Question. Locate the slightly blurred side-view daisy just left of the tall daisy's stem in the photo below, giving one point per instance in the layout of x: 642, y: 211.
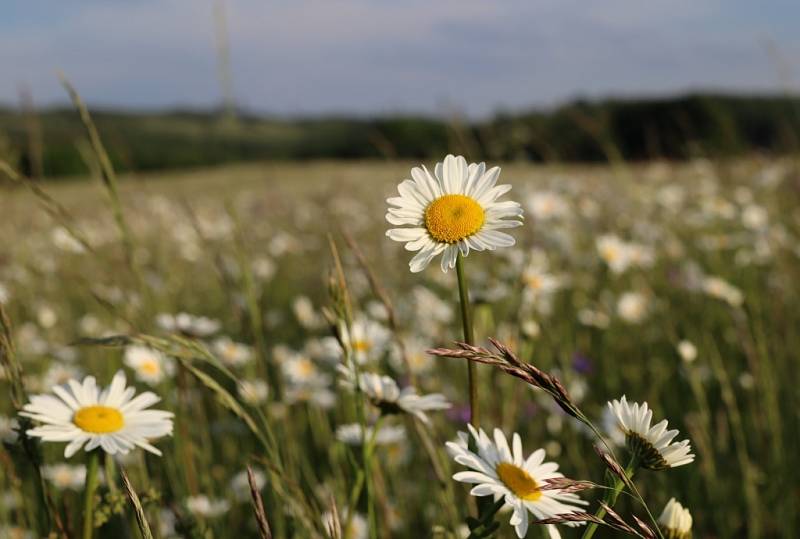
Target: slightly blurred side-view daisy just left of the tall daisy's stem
x: 384, y: 393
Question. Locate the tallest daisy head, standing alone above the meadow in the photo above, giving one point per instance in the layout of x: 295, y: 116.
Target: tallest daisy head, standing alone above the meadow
x: 453, y: 210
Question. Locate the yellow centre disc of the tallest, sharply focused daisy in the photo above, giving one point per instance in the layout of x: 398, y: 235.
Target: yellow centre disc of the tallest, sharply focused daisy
x: 451, y: 218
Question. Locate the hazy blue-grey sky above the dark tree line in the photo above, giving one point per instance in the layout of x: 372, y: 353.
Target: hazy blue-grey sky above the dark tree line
x: 368, y: 56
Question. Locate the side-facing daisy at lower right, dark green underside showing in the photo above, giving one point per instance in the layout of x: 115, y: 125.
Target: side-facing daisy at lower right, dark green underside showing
x: 653, y: 446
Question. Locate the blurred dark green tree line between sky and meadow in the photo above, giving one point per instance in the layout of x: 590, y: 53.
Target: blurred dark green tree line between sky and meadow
x: 675, y: 128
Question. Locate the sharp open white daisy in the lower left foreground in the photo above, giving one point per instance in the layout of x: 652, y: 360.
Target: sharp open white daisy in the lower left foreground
x: 113, y: 419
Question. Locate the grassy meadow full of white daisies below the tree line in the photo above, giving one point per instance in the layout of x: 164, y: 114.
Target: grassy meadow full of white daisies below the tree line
x: 162, y: 336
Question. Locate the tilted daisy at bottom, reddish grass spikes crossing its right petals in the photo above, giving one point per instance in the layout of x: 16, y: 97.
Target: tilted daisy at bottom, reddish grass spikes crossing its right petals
x: 503, y: 472
